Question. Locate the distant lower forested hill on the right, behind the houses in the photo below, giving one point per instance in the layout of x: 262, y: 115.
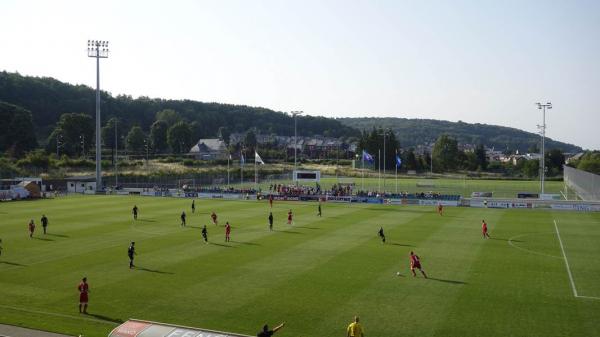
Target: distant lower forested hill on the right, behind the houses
x: 412, y: 132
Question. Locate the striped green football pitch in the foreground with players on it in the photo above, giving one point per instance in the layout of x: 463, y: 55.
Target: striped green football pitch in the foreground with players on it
x: 315, y: 275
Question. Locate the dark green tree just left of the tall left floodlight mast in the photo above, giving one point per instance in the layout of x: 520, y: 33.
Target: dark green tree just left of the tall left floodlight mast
x: 74, y: 133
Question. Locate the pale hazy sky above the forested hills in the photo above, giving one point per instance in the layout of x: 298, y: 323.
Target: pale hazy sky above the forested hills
x: 475, y: 61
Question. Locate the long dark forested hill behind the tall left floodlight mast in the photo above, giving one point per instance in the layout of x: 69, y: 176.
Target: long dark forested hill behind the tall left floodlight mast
x: 48, y: 98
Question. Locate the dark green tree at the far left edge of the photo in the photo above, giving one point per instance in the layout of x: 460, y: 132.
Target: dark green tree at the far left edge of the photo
x: 17, y: 134
